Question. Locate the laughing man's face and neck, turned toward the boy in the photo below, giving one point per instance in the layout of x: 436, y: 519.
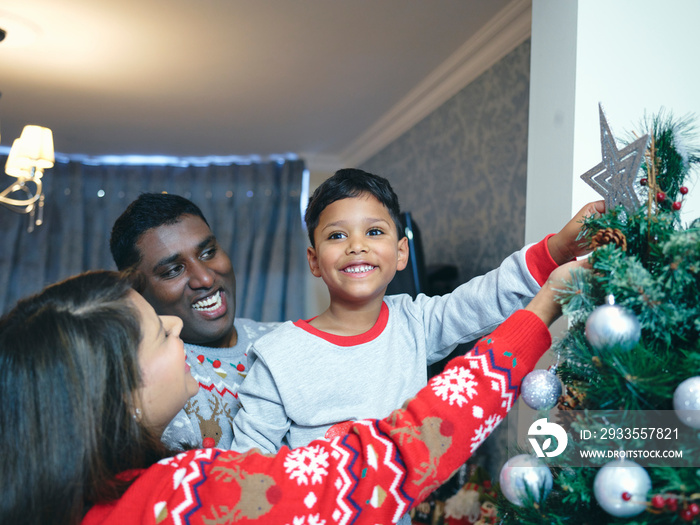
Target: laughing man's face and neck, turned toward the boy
x: 187, y: 274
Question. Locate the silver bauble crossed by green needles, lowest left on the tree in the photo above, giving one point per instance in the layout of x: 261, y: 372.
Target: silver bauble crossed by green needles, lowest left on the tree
x: 523, y: 477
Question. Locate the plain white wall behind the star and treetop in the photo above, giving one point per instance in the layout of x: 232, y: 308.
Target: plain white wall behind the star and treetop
x: 632, y: 56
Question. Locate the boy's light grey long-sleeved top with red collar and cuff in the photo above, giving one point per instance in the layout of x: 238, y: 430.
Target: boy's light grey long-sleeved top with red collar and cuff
x: 304, y: 384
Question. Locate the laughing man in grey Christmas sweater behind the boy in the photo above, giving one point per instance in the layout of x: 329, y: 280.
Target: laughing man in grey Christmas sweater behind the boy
x: 180, y: 269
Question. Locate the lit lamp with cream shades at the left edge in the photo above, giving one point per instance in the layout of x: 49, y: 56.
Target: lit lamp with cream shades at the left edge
x: 29, y: 156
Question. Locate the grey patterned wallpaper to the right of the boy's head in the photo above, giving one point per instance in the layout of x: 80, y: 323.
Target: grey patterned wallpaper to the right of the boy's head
x: 461, y: 171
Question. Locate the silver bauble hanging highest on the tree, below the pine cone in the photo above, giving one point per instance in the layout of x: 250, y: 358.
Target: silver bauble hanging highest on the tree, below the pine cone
x: 611, y: 325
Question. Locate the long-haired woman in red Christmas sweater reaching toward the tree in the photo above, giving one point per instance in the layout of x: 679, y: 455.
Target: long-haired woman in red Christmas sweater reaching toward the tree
x: 90, y: 376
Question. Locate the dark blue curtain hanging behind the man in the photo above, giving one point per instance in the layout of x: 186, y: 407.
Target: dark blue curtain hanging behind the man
x: 252, y: 208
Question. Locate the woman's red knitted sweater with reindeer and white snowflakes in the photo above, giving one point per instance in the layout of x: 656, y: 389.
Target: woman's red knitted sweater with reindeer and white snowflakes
x: 374, y: 474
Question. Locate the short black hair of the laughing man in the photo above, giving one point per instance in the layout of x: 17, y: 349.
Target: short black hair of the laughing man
x: 149, y: 210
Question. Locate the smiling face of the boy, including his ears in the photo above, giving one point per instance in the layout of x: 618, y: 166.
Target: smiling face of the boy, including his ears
x: 357, y: 251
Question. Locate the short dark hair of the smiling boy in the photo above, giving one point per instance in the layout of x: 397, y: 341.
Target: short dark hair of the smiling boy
x: 346, y: 183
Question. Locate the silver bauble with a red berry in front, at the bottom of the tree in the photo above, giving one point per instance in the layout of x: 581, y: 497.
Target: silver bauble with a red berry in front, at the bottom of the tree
x: 621, y: 488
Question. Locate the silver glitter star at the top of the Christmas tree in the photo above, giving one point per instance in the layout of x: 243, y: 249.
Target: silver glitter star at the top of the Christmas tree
x: 614, y: 177
